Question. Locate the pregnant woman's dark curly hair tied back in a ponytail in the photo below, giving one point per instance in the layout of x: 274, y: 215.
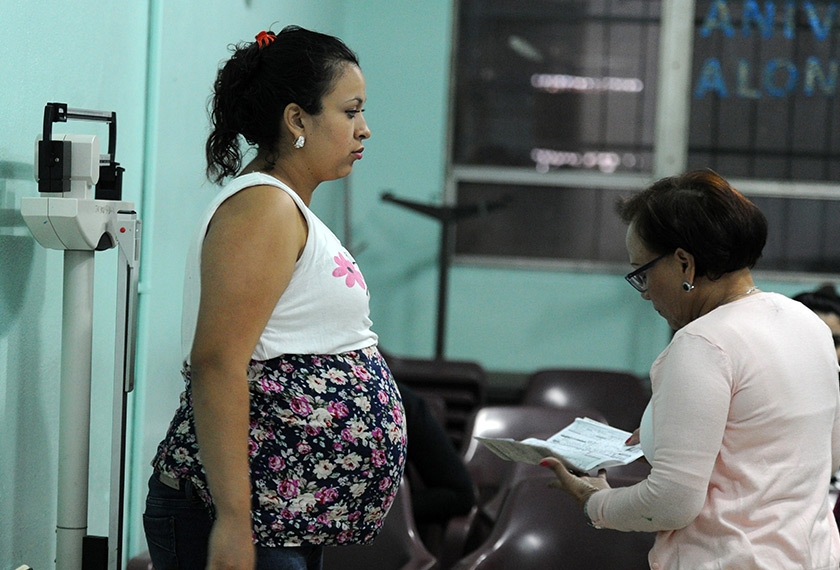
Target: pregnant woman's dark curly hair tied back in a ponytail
x: 253, y: 88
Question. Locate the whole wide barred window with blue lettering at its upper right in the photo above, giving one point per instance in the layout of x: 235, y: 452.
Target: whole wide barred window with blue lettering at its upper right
x: 553, y: 112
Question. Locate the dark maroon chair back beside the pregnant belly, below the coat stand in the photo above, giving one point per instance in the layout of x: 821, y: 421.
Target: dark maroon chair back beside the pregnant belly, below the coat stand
x: 461, y: 384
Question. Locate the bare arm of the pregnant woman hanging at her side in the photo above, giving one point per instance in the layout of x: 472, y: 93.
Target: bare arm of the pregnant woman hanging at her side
x: 247, y: 261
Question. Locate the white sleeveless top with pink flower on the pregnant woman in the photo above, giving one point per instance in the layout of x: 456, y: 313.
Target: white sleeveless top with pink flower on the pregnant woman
x: 324, y: 309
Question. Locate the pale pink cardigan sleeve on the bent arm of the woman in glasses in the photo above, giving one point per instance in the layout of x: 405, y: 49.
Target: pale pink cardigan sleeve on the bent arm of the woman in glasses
x: 692, y: 386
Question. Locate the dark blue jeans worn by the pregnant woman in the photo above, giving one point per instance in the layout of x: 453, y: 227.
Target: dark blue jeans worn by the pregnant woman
x: 177, y: 526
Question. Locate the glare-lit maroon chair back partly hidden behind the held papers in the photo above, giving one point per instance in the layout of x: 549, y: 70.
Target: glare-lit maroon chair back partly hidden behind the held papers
x: 488, y: 471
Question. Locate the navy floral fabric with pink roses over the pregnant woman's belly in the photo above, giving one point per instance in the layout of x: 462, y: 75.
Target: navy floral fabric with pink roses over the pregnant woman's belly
x: 327, y: 447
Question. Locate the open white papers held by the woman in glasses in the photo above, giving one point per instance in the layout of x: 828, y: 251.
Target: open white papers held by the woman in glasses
x: 585, y: 446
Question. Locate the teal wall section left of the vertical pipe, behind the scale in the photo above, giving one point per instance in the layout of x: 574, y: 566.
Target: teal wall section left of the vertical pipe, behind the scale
x: 92, y: 56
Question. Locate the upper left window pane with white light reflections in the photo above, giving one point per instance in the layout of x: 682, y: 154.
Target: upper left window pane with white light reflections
x: 556, y: 84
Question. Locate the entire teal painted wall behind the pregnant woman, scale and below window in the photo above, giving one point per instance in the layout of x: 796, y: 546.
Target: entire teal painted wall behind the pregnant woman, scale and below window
x: 152, y: 62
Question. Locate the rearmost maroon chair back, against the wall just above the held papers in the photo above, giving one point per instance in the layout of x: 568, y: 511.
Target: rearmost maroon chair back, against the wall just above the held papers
x: 620, y: 396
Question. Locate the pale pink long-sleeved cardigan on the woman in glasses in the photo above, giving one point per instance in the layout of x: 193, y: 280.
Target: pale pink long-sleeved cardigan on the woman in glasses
x: 743, y: 439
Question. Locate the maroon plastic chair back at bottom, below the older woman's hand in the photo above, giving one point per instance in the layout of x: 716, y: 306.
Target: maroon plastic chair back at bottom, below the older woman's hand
x: 542, y: 527
